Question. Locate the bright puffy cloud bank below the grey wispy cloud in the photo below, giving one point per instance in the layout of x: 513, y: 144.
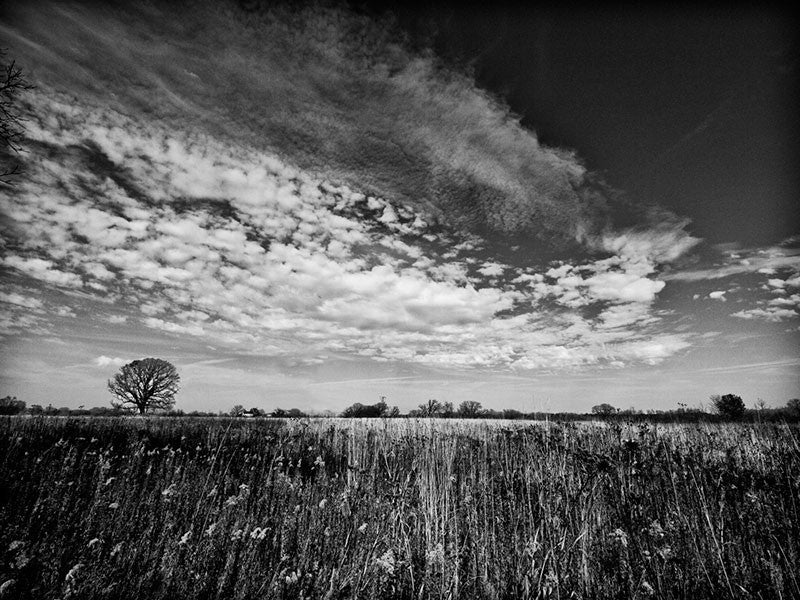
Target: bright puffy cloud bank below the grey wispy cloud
x: 192, y: 236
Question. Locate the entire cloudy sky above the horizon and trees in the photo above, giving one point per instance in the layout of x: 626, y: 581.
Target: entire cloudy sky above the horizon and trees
x: 317, y: 205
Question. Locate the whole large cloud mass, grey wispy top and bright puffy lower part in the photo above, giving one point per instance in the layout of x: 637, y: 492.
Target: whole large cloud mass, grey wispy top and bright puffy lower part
x: 329, y: 207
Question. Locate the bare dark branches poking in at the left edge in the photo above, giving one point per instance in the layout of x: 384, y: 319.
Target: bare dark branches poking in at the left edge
x: 11, y: 131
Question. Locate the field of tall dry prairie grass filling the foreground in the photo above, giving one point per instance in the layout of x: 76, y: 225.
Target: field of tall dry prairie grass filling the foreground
x: 179, y: 508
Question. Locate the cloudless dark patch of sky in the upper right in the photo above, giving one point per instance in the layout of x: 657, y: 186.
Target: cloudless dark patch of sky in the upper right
x: 691, y: 109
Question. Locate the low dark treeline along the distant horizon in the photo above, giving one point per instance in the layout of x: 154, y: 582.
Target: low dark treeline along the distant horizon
x: 431, y: 409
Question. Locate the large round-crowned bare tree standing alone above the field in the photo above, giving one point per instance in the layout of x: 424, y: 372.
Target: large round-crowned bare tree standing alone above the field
x: 145, y: 385
